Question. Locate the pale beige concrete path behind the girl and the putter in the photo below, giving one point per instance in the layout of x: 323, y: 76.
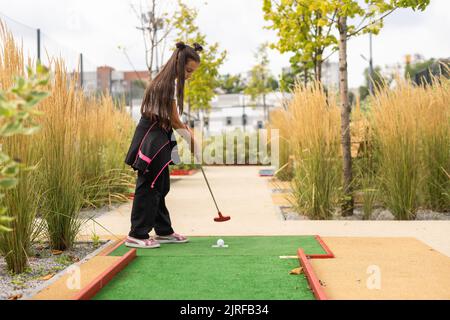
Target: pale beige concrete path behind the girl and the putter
x: 246, y: 197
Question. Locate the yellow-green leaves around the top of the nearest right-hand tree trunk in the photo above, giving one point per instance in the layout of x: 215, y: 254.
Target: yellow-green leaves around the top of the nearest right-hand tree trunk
x: 305, y: 27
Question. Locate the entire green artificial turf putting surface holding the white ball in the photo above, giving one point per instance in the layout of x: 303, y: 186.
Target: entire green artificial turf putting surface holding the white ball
x: 249, y: 268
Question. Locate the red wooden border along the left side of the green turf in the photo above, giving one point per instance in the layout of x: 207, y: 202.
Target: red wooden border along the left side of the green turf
x: 94, y: 287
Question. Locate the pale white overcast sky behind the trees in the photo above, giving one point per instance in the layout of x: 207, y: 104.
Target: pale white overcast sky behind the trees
x: 98, y: 27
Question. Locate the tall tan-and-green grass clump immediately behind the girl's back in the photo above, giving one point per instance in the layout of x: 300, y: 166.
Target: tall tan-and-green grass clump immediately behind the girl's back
x: 105, y: 134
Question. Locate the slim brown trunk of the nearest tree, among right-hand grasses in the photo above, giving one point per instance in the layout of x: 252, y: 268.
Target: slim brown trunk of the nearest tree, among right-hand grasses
x: 347, y: 204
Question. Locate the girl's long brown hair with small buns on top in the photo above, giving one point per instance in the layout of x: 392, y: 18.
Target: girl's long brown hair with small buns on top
x: 157, y: 102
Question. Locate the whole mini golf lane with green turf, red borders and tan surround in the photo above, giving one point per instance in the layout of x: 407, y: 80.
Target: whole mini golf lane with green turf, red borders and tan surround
x: 258, y: 268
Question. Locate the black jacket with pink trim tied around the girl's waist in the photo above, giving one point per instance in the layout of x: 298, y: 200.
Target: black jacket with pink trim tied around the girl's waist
x: 151, y: 147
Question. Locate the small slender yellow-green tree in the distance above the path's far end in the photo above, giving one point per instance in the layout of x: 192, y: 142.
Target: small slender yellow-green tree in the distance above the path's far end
x: 261, y: 81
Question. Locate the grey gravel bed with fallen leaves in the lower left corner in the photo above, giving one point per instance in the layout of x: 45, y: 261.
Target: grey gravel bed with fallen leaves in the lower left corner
x: 42, y: 265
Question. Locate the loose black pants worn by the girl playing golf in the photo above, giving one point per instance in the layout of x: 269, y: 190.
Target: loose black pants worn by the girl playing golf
x: 149, y: 208
